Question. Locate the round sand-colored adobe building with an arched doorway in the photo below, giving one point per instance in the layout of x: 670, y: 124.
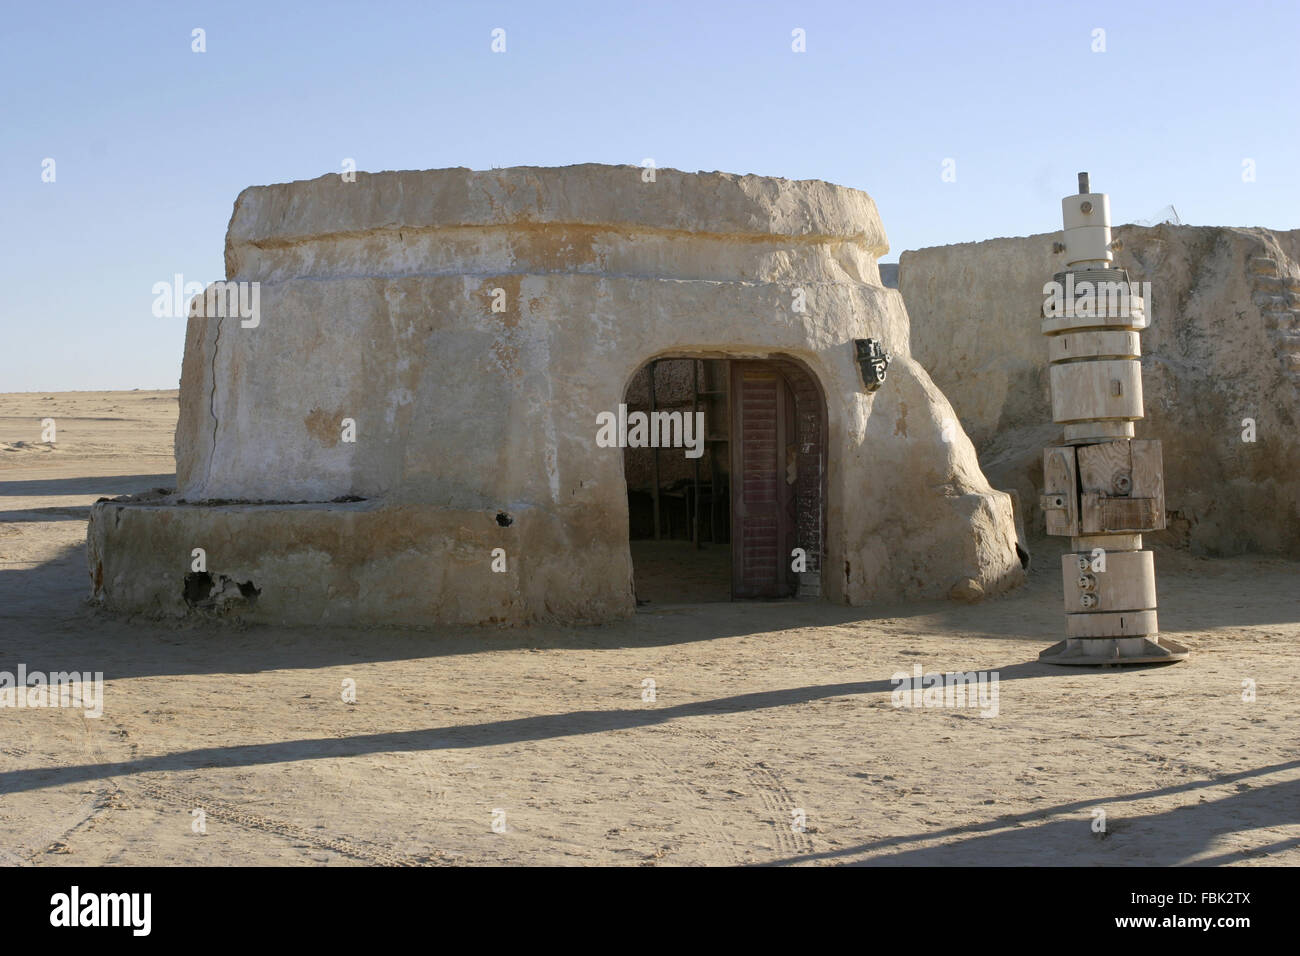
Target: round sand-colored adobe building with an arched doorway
x: 414, y: 429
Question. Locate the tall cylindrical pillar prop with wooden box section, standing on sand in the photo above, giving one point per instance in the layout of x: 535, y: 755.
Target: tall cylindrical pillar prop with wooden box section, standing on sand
x: 1103, y: 488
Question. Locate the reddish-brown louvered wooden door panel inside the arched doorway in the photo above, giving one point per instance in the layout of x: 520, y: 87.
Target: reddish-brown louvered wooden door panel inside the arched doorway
x: 762, y: 413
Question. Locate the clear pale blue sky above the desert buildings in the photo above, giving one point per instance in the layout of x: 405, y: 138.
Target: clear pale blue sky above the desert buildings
x: 1189, y: 105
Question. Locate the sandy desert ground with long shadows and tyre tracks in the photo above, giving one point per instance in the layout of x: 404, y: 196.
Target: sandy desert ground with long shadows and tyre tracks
x: 760, y: 711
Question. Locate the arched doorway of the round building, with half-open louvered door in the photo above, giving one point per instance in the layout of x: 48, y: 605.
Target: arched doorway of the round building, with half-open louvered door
x: 736, y: 511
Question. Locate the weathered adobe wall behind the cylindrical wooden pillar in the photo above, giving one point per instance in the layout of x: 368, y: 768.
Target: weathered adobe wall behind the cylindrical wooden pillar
x: 1223, y: 345
